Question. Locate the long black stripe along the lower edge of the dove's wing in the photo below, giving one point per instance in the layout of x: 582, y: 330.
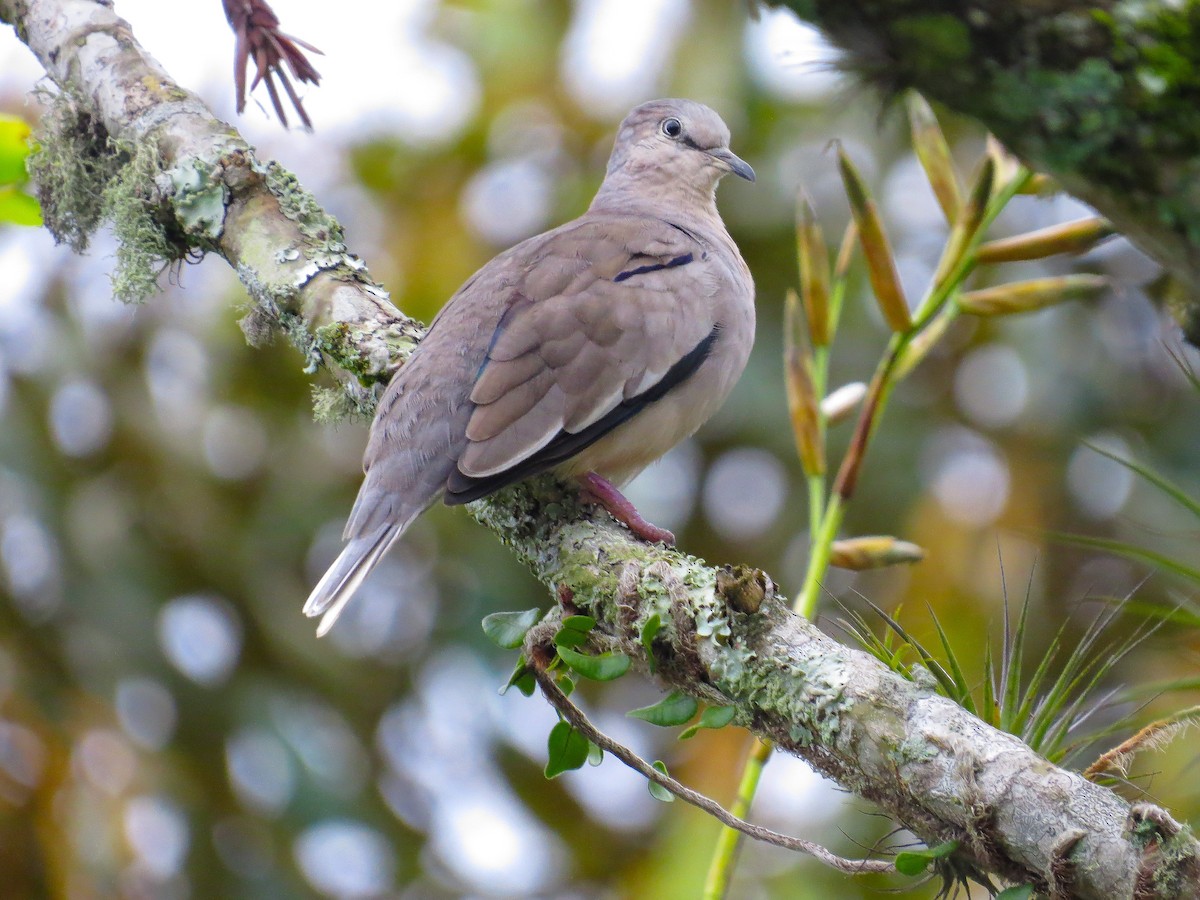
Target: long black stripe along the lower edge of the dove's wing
x: 464, y: 489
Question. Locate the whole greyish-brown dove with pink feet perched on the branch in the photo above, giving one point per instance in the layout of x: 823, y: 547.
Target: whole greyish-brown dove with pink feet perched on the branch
x: 590, y: 351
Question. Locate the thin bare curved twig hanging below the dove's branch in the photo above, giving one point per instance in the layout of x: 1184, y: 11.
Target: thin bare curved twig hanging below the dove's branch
x: 579, y: 722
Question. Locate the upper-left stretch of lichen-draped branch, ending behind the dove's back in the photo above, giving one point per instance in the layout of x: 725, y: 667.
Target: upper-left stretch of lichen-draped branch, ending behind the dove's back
x: 124, y: 140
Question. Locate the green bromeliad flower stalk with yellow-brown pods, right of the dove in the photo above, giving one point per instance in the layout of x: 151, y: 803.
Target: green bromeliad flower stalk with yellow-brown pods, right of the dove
x: 811, y: 327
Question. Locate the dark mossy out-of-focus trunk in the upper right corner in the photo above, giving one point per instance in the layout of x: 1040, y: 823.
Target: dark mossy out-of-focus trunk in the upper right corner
x: 1106, y: 97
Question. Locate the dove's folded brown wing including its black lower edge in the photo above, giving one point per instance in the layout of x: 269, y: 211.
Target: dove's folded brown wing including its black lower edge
x: 611, y: 316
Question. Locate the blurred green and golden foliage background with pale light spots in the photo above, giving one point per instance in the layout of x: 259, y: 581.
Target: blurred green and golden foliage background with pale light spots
x: 170, y: 727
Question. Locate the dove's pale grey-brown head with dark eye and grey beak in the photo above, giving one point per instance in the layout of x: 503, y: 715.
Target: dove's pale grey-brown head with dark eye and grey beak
x: 676, y: 143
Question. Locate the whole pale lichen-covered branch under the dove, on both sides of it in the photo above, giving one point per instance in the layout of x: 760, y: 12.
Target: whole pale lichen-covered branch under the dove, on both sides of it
x: 725, y: 637
